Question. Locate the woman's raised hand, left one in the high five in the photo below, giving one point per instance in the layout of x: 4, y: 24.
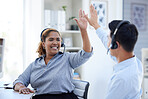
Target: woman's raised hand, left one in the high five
x: 82, y: 22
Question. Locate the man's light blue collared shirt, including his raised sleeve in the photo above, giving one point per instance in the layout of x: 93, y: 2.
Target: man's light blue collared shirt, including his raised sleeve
x: 126, y: 80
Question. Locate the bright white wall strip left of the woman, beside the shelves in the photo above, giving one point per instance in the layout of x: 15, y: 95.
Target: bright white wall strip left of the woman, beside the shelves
x: 33, y: 22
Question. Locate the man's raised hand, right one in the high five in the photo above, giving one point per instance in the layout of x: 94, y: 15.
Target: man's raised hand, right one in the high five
x: 93, y: 20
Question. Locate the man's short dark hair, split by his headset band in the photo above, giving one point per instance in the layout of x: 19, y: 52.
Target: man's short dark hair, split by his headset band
x: 126, y: 35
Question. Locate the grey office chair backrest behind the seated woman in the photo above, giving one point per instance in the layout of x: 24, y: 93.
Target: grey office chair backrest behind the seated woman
x: 81, y: 88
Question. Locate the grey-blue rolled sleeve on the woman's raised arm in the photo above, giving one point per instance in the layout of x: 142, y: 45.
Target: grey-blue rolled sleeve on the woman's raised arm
x: 77, y: 59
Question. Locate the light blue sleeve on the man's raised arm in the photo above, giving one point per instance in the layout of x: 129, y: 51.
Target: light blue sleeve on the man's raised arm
x: 103, y: 37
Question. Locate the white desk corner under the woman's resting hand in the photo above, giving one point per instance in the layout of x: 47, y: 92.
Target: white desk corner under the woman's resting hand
x: 11, y: 94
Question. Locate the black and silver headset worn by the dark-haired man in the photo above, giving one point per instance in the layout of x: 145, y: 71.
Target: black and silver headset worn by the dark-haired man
x: 113, y: 44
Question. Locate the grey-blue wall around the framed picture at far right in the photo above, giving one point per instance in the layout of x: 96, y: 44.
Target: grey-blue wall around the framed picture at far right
x: 143, y: 34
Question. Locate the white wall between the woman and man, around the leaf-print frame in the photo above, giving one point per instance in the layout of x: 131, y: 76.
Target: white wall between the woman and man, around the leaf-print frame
x: 99, y: 68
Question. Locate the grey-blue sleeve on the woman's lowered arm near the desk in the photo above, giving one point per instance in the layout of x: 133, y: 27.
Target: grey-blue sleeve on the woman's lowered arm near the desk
x: 24, y: 78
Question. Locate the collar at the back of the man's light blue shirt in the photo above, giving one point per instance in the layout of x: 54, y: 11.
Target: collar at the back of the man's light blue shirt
x: 124, y: 64
